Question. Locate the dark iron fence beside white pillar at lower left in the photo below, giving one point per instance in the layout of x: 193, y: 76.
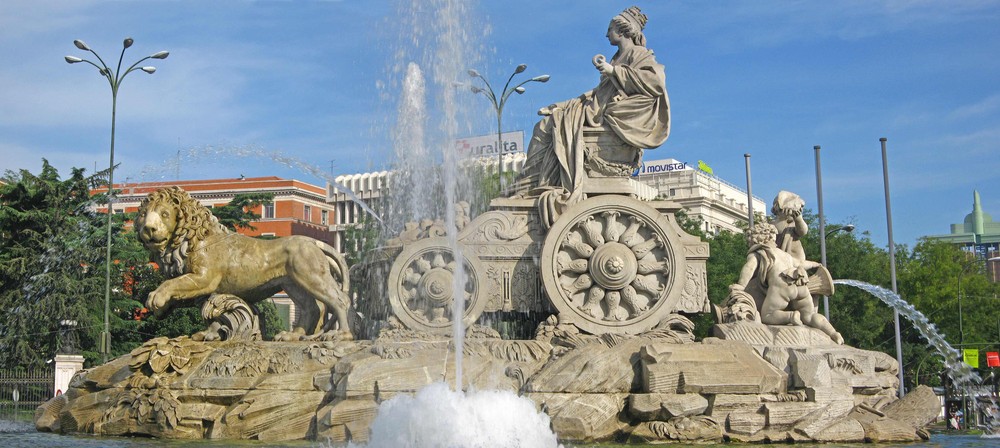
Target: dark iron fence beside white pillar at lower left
x: 21, y: 391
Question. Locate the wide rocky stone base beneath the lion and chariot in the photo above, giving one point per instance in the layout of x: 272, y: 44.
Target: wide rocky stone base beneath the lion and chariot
x: 650, y: 388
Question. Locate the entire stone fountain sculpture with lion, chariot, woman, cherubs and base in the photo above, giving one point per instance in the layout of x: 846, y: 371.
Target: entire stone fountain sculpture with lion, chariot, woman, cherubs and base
x: 615, y: 360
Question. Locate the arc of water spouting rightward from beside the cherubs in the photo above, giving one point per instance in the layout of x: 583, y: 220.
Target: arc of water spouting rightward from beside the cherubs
x: 960, y: 373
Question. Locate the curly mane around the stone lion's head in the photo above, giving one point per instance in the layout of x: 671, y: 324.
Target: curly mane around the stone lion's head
x: 194, y: 223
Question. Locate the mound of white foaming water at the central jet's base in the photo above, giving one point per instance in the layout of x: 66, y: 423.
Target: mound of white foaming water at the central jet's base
x: 439, y: 417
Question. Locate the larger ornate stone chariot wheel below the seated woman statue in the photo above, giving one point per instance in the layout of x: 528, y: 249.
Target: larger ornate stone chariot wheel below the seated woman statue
x: 612, y: 264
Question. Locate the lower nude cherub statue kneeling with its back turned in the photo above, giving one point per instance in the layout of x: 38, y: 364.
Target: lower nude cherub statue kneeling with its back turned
x: 785, y: 281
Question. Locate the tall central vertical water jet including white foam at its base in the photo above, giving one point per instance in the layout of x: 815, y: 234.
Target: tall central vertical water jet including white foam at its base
x: 437, y: 415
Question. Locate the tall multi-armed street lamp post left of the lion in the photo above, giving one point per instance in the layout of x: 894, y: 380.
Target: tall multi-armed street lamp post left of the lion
x: 114, y: 80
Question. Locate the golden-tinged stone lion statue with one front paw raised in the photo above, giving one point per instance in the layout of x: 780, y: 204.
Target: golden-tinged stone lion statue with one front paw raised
x: 203, y: 258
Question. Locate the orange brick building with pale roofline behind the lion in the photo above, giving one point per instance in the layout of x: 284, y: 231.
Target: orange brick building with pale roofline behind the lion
x: 299, y: 208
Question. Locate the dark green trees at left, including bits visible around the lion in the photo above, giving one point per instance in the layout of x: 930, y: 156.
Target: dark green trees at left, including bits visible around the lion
x: 53, y: 244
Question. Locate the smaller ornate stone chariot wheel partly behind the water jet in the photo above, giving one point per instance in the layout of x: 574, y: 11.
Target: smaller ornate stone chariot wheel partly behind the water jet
x: 423, y: 288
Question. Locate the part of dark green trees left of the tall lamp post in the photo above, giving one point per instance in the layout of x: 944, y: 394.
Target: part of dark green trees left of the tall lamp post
x: 50, y: 254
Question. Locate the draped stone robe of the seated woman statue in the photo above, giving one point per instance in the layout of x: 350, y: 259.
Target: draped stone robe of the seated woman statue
x: 631, y: 102
